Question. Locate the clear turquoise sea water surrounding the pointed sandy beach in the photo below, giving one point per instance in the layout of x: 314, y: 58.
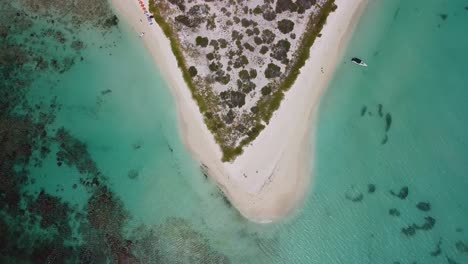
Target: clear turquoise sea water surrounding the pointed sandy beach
x: 154, y: 204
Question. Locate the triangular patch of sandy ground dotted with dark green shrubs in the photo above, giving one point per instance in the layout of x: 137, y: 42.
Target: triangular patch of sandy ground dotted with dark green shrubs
x: 239, y: 78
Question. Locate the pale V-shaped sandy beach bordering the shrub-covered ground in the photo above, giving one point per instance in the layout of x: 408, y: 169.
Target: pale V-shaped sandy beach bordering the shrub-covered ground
x: 270, y: 180
